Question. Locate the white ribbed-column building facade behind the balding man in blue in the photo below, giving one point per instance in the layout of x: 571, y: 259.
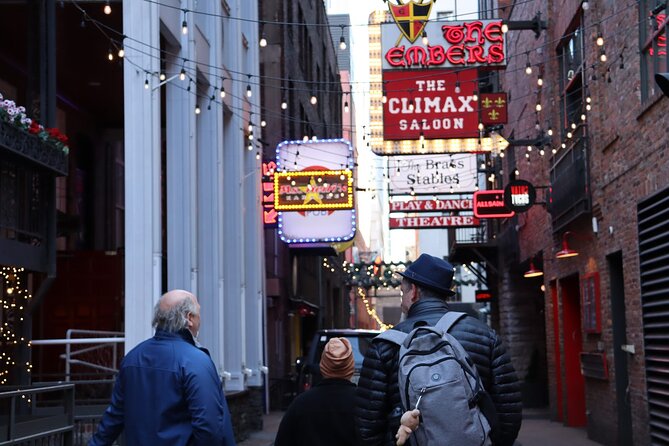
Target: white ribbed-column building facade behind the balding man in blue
x: 193, y: 217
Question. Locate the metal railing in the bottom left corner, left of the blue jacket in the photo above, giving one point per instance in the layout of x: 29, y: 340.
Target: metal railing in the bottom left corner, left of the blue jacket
x: 29, y: 416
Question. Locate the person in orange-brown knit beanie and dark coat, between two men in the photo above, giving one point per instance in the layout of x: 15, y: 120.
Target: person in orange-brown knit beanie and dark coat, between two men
x: 323, y: 415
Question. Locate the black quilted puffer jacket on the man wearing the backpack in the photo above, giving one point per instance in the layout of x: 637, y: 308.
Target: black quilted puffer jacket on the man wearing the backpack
x: 378, y: 403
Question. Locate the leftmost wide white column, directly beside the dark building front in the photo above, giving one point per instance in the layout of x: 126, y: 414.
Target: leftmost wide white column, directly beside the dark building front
x: 143, y: 249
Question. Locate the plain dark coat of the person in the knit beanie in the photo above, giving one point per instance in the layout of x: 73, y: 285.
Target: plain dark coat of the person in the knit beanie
x: 321, y: 416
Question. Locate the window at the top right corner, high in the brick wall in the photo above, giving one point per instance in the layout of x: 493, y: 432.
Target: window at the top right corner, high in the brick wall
x: 653, y: 43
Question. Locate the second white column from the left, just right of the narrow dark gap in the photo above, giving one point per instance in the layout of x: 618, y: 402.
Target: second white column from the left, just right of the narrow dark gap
x: 181, y: 169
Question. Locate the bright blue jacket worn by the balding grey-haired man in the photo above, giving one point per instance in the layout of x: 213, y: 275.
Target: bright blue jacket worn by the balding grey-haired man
x: 167, y: 393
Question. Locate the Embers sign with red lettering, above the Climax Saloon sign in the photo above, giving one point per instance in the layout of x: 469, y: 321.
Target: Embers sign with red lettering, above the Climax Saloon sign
x: 478, y: 43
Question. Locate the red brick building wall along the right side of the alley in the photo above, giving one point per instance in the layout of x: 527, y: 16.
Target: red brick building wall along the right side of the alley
x: 626, y: 147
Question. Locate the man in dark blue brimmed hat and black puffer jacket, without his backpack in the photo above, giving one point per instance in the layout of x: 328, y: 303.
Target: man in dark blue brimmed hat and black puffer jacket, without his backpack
x: 426, y: 284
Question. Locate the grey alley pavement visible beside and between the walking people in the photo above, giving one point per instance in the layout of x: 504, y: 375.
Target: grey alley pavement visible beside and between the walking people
x: 537, y: 430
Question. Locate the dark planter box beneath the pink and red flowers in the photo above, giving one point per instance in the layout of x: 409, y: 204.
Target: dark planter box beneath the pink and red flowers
x: 29, y: 148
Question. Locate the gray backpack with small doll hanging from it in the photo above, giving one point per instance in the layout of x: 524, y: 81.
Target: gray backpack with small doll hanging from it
x: 437, y: 376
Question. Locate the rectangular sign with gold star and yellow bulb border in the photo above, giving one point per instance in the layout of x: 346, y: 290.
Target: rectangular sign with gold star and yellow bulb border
x: 309, y: 190
